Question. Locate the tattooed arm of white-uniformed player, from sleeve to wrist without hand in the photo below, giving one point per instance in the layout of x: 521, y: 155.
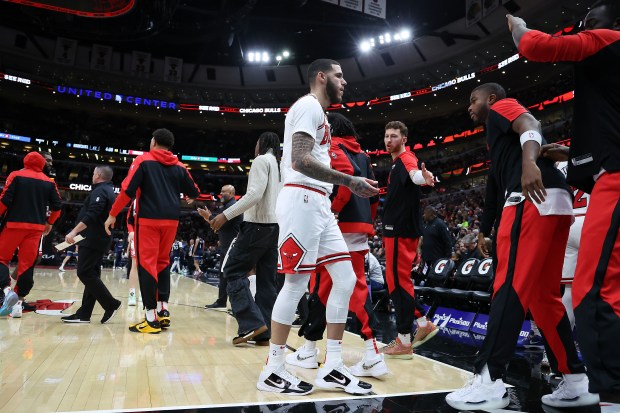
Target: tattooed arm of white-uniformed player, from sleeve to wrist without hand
x: 303, y: 161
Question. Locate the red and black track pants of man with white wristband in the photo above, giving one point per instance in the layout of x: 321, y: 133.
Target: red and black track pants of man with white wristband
x: 530, y: 254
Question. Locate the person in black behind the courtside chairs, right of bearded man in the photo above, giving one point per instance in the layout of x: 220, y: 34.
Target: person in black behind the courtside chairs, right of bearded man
x: 437, y: 242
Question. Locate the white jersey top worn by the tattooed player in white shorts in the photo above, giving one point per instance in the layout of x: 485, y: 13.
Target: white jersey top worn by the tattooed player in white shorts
x: 306, y: 115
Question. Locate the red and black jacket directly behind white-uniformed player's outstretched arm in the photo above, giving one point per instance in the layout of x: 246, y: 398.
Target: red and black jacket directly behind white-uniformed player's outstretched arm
x: 355, y: 214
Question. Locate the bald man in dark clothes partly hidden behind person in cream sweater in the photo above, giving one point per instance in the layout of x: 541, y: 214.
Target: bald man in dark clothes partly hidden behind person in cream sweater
x: 226, y: 234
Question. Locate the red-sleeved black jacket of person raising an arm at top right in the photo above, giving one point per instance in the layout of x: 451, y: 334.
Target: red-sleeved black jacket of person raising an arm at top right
x: 596, y: 122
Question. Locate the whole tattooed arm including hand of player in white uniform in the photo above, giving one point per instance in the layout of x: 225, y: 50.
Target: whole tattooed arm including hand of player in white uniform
x: 303, y: 161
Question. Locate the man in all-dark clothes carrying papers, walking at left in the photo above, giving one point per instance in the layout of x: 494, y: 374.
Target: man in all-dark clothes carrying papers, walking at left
x: 96, y: 242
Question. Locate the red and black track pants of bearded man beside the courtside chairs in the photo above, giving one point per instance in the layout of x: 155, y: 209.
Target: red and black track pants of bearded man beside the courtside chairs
x: 400, y: 253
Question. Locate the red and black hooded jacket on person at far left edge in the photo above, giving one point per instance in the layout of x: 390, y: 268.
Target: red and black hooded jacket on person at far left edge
x: 26, y: 195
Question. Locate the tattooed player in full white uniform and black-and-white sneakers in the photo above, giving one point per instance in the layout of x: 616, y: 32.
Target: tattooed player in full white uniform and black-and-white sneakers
x: 309, y: 235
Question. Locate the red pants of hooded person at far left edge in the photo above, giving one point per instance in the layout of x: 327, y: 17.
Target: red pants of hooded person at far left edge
x: 27, y: 240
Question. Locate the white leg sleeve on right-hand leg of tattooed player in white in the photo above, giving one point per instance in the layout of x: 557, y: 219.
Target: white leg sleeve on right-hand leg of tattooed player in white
x: 343, y: 279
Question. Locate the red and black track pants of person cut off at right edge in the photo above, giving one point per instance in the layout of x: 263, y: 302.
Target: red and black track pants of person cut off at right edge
x: 596, y: 287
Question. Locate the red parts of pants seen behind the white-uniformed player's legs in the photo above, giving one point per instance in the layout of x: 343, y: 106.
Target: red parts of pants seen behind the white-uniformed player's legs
x: 360, y: 292
